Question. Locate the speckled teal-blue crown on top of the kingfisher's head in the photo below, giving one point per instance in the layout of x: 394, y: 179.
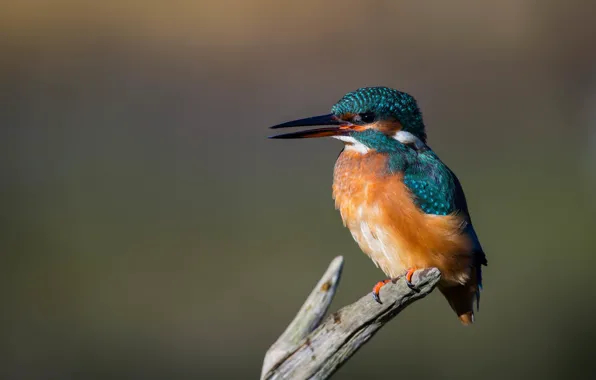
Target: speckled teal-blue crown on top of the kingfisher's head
x: 384, y: 101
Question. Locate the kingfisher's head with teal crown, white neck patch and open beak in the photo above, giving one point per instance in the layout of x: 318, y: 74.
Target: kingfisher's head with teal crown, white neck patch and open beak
x: 365, y: 119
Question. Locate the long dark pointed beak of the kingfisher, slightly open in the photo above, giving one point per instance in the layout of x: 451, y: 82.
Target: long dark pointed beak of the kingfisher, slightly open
x: 336, y: 127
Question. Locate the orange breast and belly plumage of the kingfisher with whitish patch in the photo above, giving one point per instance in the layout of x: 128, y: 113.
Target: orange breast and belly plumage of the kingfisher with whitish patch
x: 387, y: 225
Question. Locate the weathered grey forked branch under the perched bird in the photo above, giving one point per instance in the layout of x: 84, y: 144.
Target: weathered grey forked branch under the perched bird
x: 311, y: 349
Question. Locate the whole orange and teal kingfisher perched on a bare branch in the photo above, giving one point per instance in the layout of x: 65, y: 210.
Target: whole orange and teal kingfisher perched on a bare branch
x: 404, y: 207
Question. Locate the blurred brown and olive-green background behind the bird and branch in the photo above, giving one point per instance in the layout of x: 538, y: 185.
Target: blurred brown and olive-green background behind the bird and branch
x: 150, y: 230
